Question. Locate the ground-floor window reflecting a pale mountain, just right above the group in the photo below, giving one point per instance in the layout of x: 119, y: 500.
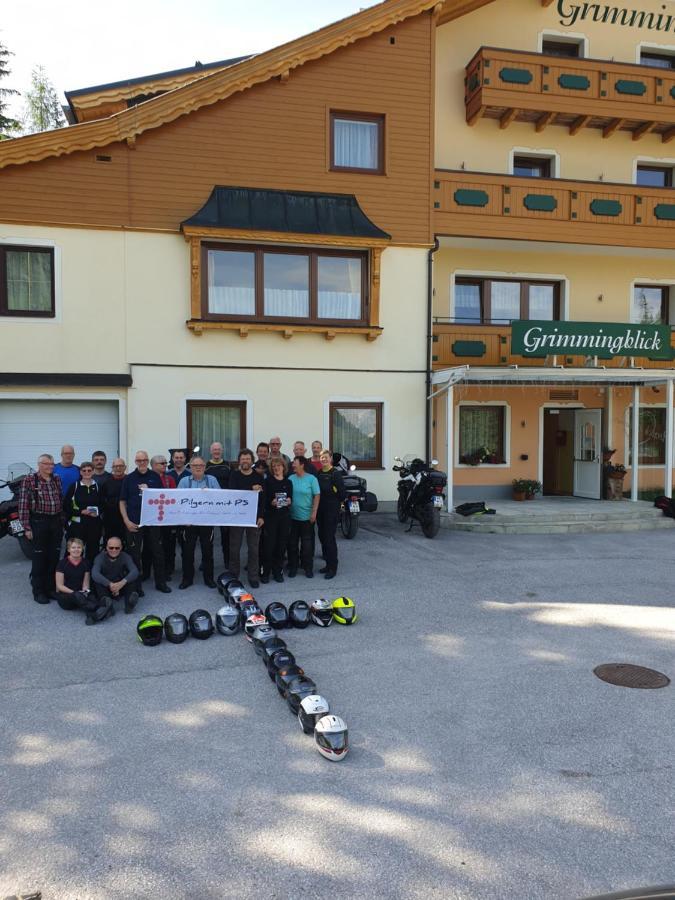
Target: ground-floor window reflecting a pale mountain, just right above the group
x: 356, y: 432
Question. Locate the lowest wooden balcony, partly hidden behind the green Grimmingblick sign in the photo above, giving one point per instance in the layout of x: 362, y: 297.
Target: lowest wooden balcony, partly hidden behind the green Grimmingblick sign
x: 490, y: 345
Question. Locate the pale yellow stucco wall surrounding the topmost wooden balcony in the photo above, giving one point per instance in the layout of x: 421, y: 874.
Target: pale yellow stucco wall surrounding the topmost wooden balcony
x: 519, y: 25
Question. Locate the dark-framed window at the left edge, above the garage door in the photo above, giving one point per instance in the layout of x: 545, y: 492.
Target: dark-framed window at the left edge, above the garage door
x: 26, y: 281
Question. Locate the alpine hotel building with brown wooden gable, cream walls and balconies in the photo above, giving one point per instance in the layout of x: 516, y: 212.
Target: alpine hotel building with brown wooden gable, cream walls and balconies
x: 442, y: 227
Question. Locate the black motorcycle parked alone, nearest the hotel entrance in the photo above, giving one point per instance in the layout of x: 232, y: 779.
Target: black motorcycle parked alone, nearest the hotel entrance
x: 420, y: 494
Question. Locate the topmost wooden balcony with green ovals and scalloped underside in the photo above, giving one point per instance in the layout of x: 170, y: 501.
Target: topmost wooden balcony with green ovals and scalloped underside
x: 515, y: 86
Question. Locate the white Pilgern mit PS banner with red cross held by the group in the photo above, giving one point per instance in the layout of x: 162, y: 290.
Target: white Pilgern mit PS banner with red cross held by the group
x: 199, y: 507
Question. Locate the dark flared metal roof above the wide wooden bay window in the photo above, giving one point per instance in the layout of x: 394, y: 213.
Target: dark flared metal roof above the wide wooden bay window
x: 297, y: 212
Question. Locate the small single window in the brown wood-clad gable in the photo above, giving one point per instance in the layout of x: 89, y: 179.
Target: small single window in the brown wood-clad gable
x: 357, y: 143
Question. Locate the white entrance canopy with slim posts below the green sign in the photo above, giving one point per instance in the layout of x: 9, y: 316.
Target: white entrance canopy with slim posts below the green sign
x: 443, y: 382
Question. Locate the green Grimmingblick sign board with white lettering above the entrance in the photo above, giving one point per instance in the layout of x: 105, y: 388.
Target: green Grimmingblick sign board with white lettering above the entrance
x: 604, y: 339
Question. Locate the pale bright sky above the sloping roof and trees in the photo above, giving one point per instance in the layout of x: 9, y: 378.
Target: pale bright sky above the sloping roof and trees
x: 83, y: 43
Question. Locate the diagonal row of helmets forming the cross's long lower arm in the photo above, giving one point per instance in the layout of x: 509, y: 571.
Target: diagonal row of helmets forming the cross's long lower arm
x: 330, y: 732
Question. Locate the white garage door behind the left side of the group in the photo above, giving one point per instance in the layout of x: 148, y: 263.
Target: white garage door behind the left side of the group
x: 31, y: 427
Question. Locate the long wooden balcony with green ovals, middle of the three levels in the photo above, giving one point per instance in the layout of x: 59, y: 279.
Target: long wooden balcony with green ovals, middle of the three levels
x: 474, y: 204
